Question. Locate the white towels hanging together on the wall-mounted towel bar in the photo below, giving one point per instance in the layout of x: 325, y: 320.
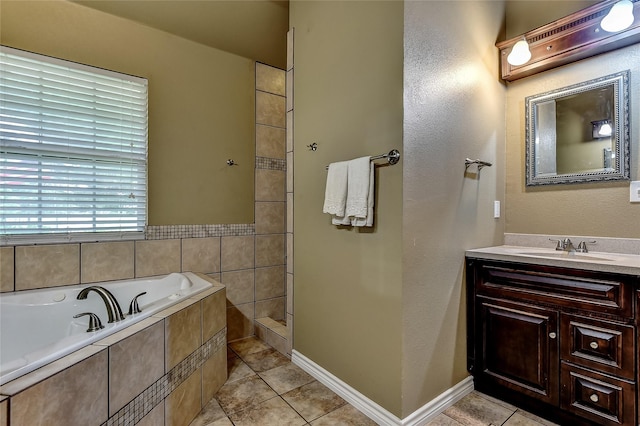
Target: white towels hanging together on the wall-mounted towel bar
x: 359, y: 191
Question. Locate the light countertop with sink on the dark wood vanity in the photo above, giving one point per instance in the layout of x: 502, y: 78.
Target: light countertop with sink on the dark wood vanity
x: 594, y: 261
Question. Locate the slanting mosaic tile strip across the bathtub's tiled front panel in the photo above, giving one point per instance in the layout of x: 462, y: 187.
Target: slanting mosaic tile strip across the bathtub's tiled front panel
x: 149, y: 398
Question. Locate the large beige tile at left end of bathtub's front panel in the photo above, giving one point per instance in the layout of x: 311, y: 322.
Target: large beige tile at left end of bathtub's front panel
x: 63, y: 399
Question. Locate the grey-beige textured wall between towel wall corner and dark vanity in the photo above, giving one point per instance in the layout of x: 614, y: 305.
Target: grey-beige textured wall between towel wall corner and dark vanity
x: 454, y: 108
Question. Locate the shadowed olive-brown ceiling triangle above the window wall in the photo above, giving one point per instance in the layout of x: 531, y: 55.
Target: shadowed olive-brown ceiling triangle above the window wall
x: 253, y: 29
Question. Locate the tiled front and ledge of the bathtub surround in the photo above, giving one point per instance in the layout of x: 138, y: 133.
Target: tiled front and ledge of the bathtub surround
x: 125, y: 377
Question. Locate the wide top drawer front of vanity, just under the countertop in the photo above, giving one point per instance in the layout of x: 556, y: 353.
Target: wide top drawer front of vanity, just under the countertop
x: 599, y: 292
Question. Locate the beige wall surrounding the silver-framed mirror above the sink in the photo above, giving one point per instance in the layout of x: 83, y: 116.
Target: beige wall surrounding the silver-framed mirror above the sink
x: 597, y: 209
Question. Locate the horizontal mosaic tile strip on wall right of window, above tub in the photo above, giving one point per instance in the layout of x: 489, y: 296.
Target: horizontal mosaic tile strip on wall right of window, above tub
x: 163, y: 232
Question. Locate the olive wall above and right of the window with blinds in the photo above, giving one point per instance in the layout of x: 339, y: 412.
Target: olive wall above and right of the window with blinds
x: 201, y: 104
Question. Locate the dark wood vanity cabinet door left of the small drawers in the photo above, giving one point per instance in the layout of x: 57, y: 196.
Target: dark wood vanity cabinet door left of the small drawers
x: 519, y: 348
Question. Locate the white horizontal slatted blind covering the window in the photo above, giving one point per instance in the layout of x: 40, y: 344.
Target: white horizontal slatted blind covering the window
x: 73, y: 151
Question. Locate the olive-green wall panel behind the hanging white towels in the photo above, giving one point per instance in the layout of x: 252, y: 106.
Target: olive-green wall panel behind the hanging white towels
x: 348, y: 63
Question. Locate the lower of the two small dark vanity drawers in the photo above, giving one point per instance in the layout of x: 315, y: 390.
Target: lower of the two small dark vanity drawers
x: 597, y: 397
